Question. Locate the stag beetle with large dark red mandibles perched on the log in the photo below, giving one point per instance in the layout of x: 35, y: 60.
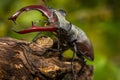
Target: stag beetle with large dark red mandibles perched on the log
x: 75, y: 37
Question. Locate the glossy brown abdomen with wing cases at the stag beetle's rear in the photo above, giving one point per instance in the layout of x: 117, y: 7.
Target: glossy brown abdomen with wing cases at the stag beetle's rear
x: 84, y: 46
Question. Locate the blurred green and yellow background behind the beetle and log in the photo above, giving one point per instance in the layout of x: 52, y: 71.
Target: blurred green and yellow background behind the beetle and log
x: 100, y: 19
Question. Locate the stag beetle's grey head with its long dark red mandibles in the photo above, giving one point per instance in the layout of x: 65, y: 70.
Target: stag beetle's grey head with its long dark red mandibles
x: 56, y: 19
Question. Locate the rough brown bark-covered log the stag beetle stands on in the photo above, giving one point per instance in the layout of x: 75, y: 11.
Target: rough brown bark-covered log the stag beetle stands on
x: 21, y: 60
